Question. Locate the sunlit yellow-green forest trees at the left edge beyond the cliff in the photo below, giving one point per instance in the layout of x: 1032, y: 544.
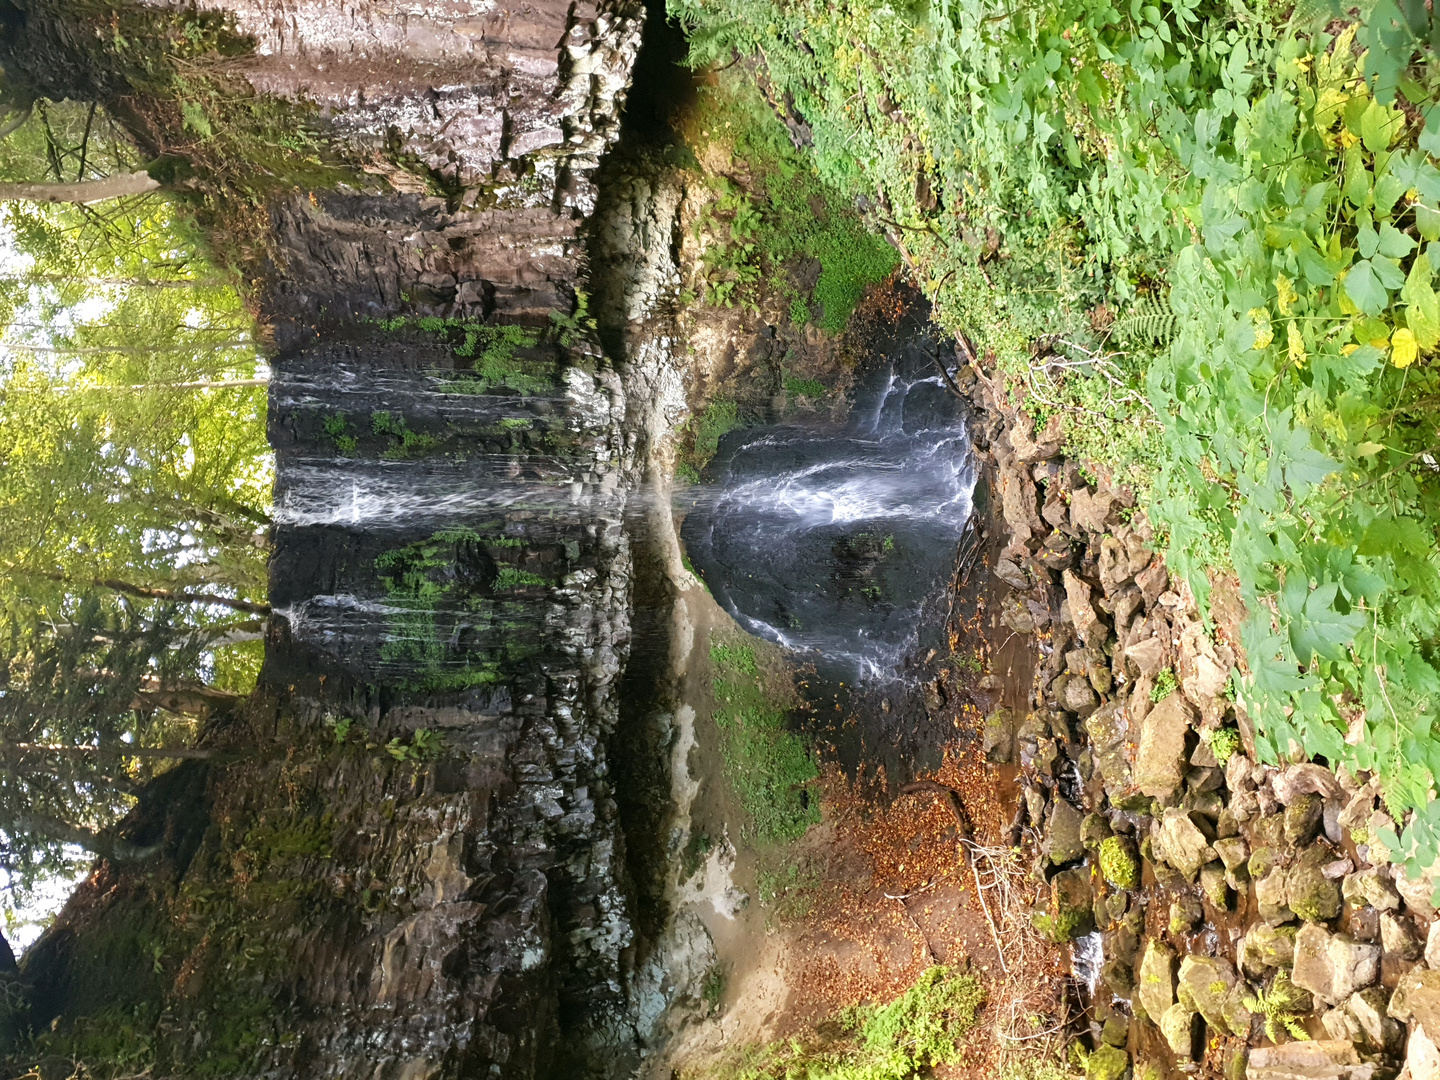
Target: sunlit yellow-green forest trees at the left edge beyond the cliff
x: 135, y: 492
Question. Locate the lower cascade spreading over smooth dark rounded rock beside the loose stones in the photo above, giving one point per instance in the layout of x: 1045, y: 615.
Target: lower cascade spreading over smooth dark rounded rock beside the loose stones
x: 837, y: 541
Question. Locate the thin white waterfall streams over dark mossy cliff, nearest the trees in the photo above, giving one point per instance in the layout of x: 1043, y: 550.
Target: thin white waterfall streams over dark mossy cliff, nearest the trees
x: 431, y: 526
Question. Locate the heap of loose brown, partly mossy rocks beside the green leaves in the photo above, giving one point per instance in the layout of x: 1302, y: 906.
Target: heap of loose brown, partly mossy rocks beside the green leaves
x: 1248, y: 922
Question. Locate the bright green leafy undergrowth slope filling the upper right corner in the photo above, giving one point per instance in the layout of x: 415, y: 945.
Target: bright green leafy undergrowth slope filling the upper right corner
x: 1199, y: 241
